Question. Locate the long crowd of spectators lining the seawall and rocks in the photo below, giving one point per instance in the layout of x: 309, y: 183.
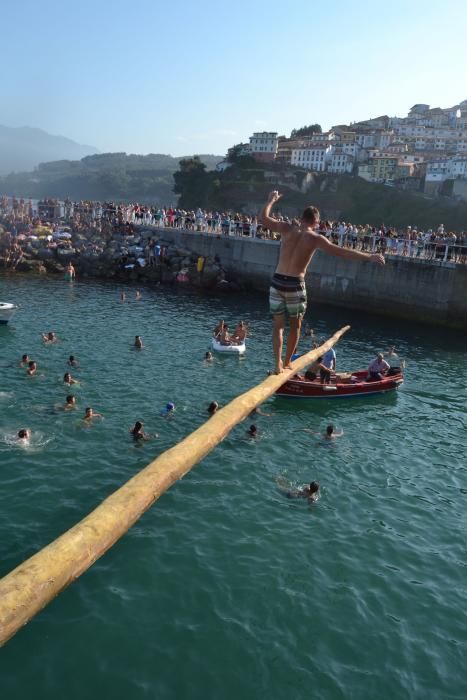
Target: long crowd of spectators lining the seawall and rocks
x: 105, y: 219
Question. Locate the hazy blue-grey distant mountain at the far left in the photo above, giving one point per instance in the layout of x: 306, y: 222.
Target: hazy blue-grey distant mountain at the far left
x: 23, y: 148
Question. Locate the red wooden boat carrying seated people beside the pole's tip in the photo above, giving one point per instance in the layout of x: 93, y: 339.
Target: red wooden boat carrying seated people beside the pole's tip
x: 342, y: 386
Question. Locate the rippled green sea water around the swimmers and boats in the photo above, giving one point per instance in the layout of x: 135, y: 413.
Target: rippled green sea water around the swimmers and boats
x: 226, y: 588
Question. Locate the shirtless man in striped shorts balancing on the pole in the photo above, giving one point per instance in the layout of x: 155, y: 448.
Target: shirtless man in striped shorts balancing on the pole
x: 299, y: 242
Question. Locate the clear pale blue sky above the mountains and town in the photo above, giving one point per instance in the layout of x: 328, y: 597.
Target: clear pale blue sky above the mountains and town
x: 195, y: 77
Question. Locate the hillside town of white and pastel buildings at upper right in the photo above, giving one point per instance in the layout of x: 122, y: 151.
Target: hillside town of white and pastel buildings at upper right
x: 424, y: 151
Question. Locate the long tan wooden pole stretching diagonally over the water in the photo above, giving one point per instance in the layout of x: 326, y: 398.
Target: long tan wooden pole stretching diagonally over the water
x: 34, y: 583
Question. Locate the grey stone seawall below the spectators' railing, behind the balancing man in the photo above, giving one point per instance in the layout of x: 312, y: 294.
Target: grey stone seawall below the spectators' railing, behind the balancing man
x: 419, y: 290
